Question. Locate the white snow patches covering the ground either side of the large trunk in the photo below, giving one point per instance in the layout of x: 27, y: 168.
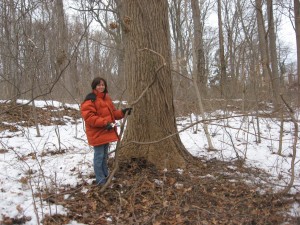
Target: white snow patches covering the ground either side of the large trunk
x: 32, y: 163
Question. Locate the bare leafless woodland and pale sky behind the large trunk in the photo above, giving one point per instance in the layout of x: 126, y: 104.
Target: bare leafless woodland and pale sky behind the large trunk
x: 53, y: 49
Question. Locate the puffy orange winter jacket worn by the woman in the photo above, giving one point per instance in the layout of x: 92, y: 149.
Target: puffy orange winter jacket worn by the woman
x: 96, y: 114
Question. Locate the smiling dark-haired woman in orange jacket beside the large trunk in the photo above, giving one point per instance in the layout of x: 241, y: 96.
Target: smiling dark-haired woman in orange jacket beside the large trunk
x: 100, y: 115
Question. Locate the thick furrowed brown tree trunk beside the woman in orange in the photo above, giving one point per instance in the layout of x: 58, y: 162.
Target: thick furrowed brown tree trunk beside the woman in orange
x: 146, y: 27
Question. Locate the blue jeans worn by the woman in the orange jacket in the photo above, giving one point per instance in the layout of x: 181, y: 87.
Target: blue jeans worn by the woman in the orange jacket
x: 100, y: 163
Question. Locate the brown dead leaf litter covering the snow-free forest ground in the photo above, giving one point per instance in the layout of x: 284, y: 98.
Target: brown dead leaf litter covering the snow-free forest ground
x: 212, y: 192
